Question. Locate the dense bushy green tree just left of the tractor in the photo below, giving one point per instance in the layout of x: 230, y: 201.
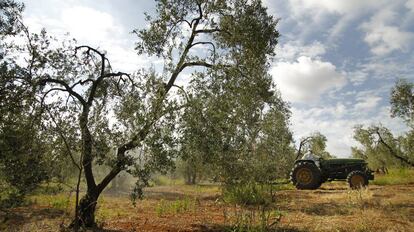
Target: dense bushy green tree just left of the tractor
x: 238, y: 126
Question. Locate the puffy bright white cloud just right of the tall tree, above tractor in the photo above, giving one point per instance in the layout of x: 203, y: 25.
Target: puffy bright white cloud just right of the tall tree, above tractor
x: 306, y: 79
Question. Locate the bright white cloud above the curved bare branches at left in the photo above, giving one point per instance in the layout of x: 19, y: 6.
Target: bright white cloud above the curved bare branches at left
x: 94, y: 28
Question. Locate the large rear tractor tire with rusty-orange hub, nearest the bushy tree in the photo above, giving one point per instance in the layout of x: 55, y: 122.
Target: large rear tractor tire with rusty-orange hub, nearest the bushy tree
x: 306, y: 175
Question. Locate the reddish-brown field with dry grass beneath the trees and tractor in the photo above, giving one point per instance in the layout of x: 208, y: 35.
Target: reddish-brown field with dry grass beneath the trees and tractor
x: 333, y: 207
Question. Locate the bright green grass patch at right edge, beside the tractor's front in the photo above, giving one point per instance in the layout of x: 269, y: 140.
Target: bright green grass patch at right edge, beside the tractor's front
x: 395, y: 176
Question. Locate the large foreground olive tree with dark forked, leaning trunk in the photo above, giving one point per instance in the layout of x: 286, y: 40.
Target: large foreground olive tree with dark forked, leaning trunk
x: 110, y: 116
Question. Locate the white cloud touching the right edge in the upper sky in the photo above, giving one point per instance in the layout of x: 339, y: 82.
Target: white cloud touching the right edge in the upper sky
x: 382, y: 36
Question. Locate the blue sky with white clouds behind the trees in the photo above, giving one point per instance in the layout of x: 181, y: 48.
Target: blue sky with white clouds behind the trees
x: 335, y: 63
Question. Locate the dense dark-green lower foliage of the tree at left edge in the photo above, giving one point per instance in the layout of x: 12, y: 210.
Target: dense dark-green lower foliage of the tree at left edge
x: 24, y: 162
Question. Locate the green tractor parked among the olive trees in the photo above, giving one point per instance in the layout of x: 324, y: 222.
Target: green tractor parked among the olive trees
x: 311, y: 171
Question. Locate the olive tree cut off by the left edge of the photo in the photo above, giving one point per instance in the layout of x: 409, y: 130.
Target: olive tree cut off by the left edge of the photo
x: 24, y: 157
